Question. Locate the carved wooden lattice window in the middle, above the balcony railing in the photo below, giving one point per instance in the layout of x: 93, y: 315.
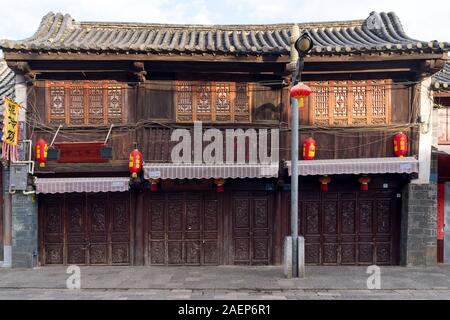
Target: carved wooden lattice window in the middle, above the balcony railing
x: 212, y: 101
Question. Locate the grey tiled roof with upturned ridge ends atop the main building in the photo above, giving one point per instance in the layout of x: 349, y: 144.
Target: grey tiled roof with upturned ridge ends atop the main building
x: 380, y: 32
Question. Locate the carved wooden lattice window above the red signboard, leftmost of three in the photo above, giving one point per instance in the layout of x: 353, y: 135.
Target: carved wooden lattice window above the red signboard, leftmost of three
x: 86, y: 102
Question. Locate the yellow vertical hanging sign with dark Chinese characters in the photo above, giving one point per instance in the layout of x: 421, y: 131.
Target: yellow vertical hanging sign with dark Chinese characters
x: 10, y: 138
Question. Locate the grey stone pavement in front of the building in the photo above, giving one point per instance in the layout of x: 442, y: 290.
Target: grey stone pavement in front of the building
x: 225, y: 282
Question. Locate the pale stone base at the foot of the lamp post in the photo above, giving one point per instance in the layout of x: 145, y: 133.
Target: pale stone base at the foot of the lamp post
x: 288, y: 262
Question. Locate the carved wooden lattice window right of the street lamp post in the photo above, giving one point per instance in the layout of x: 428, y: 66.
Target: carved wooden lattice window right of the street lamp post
x: 340, y: 103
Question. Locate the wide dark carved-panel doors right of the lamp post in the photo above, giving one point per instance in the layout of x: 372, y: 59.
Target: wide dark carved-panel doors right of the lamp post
x: 349, y: 228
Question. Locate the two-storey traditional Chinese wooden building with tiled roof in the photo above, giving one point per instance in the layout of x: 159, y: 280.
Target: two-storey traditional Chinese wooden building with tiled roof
x: 150, y: 79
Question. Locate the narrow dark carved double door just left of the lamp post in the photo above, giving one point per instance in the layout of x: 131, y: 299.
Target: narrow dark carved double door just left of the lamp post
x: 252, y: 214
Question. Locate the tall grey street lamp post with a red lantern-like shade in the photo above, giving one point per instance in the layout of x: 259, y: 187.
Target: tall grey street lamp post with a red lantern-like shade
x: 298, y: 92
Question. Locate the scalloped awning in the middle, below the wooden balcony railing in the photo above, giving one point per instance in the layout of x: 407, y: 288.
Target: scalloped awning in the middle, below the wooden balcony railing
x: 204, y: 171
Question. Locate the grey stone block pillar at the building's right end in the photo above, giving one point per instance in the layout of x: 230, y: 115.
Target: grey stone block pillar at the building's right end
x: 418, y: 246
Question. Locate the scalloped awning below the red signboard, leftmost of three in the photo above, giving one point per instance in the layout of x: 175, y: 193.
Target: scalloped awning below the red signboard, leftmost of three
x: 63, y: 185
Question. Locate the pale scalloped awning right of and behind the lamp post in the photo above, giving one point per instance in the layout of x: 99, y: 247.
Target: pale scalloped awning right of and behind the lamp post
x: 356, y: 166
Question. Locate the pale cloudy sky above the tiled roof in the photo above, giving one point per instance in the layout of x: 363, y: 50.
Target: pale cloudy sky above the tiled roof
x: 423, y: 20
